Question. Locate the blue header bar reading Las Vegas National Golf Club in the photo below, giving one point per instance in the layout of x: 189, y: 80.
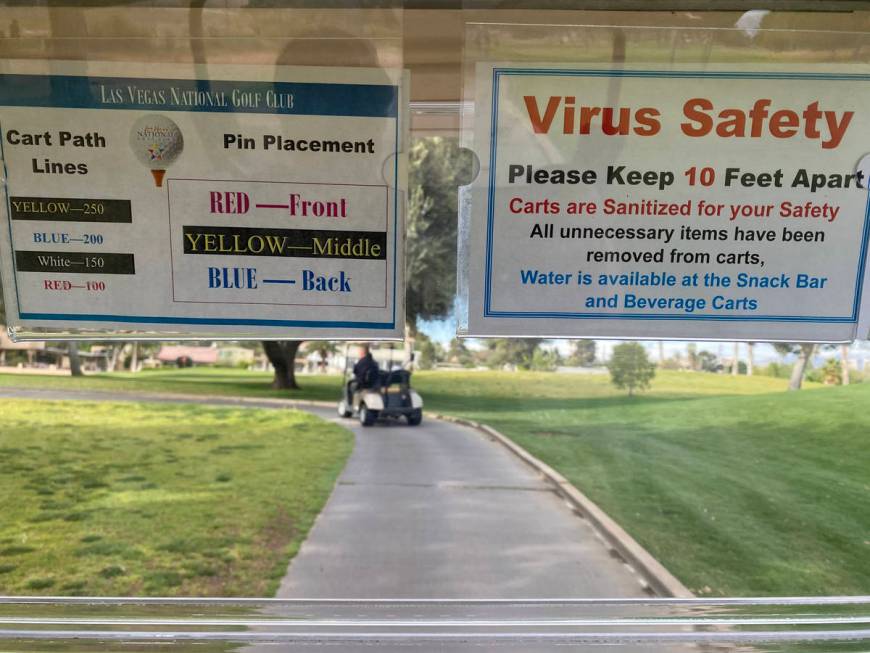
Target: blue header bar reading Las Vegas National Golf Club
x: 196, y: 95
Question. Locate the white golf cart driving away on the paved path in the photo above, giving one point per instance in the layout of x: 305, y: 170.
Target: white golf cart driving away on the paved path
x: 384, y: 394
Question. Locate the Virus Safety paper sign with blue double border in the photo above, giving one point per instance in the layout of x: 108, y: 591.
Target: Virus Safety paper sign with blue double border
x: 717, y: 203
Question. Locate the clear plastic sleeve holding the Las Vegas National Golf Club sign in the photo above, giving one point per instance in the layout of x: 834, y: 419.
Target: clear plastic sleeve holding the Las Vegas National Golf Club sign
x: 269, y: 141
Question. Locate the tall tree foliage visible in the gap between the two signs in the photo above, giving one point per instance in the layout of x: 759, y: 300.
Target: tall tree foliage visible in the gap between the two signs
x: 437, y: 167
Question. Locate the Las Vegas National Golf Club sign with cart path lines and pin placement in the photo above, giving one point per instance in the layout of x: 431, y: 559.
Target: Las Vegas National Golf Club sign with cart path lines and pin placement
x: 262, y: 201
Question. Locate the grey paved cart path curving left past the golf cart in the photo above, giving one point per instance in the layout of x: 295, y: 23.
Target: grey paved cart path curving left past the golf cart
x: 436, y: 511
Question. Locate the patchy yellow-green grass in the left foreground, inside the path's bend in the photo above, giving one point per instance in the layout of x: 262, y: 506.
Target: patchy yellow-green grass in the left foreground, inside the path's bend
x: 158, y: 499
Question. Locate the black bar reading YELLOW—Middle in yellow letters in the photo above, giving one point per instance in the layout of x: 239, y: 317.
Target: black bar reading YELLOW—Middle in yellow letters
x: 305, y: 243
